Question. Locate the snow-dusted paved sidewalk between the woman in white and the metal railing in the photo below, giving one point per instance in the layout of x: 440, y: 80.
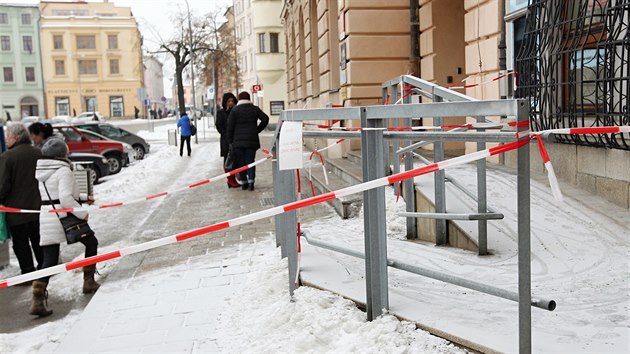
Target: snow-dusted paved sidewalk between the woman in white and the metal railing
x: 167, y: 299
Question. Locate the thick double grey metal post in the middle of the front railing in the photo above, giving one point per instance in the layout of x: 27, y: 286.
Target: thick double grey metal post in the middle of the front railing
x: 372, y: 144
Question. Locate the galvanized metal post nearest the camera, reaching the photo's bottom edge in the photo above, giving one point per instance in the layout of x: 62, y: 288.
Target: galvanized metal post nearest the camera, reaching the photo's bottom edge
x: 524, y: 242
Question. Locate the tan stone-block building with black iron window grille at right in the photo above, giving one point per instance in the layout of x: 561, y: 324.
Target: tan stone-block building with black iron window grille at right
x: 570, y: 57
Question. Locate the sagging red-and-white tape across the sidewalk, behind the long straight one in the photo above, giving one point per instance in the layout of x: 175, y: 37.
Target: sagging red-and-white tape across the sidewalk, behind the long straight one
x: 144, y: 199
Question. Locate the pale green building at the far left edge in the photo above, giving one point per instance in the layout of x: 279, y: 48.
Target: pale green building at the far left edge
x: 21, y: 82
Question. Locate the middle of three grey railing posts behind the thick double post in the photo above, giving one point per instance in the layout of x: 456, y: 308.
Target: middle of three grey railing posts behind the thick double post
x: 441, y: 231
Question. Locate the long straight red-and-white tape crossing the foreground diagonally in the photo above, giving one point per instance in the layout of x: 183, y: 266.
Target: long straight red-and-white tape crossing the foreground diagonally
x: 358, y: 188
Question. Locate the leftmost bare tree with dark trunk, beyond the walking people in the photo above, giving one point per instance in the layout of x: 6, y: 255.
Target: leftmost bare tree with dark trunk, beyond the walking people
x: 184, y: 45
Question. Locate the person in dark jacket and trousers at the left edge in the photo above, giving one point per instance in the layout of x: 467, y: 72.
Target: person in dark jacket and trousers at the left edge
x: 19, y: 189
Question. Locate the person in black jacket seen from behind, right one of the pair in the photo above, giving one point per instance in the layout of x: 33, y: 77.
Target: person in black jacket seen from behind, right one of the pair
x: 242, y: 130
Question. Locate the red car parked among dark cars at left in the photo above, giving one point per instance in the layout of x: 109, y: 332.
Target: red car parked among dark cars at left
x: 77, y: 142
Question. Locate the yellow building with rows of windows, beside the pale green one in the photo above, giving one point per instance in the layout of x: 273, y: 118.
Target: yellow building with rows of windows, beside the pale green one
x: 91, y: 58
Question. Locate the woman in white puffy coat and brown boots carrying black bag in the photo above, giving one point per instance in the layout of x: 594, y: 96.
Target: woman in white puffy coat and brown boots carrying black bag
x: 58, y: 187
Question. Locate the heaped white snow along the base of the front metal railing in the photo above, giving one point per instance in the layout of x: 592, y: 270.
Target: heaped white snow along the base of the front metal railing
x: 262, y: 318
